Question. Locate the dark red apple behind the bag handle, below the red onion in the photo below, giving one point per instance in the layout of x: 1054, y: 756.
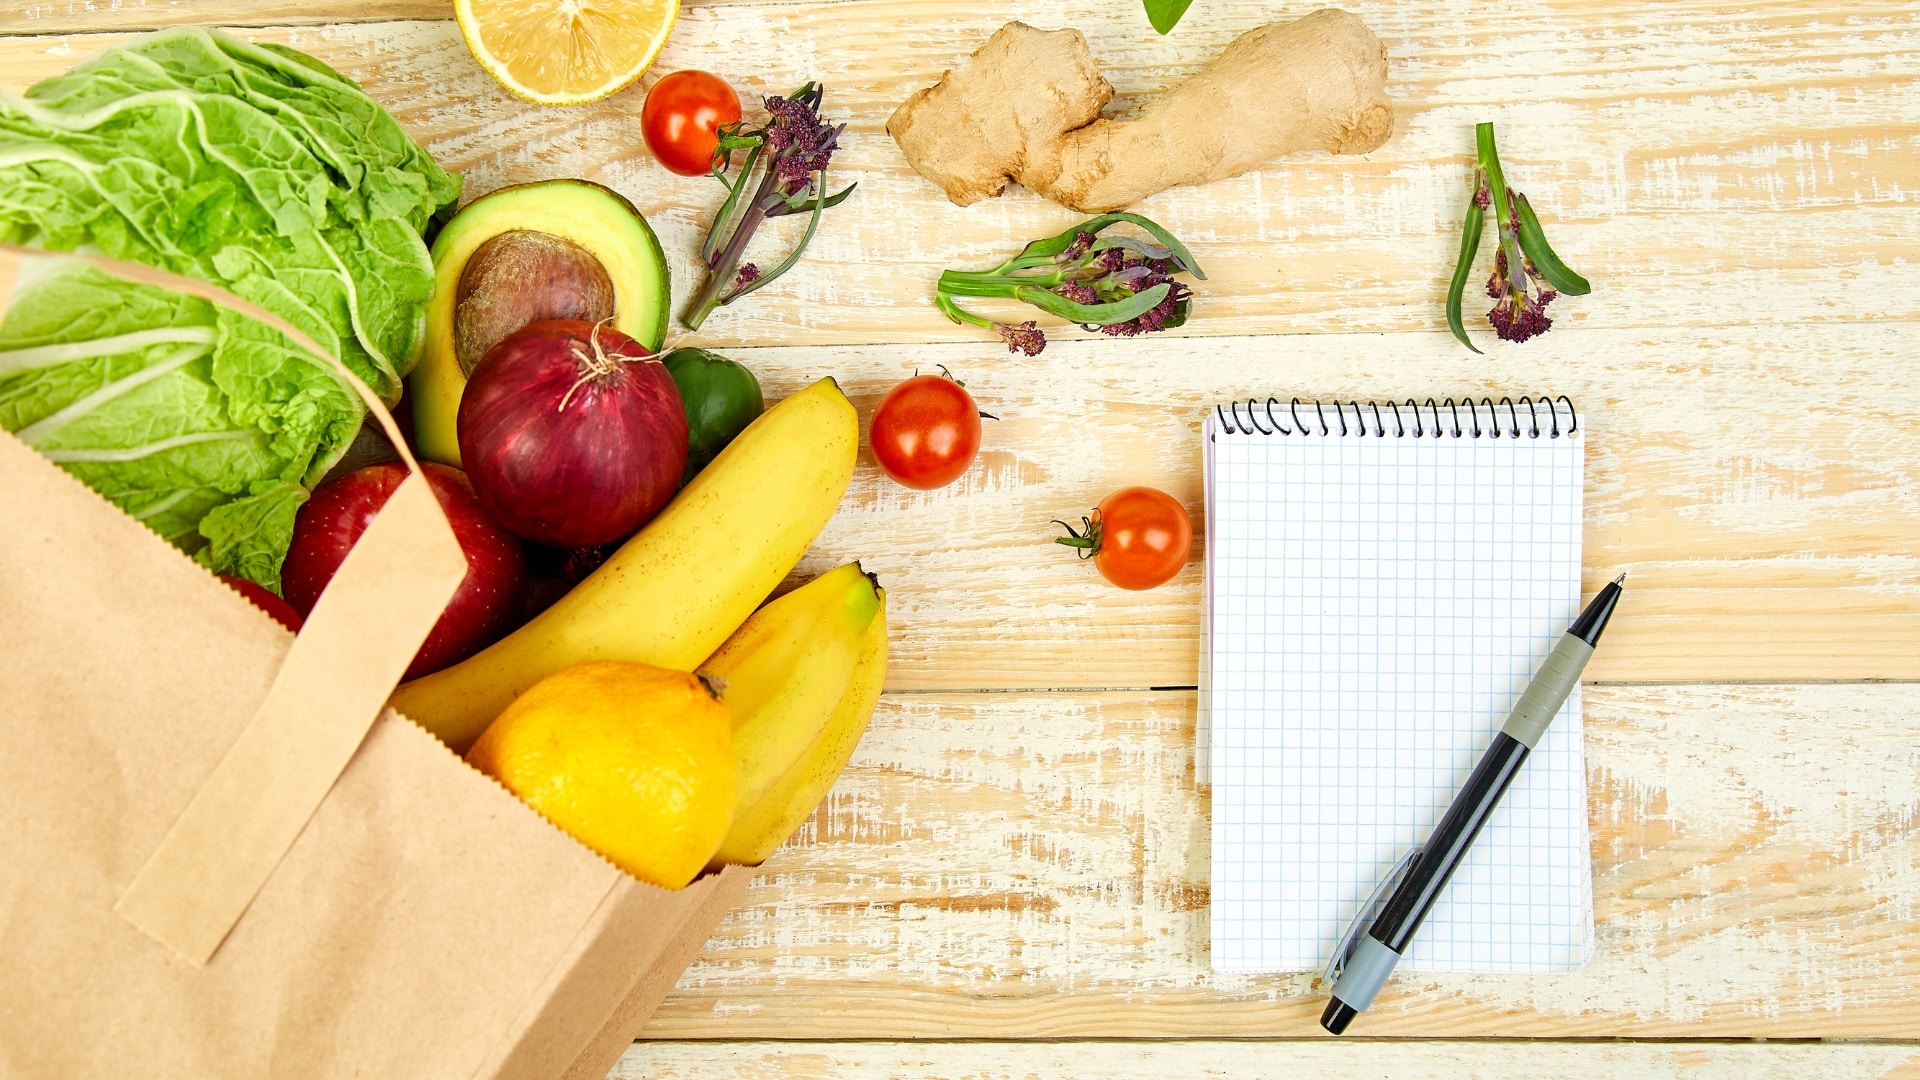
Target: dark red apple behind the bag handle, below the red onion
x: 496, y: 566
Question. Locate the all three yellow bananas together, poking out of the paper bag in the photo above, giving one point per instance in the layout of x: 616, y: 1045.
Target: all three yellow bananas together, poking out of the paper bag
x: 802, y: 675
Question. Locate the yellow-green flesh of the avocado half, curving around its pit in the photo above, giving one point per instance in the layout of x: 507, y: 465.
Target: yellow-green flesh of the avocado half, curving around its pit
x: 596, y: 218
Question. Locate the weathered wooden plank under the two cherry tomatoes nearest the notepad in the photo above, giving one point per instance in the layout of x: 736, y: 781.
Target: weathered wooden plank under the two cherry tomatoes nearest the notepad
x: 1760, y: 485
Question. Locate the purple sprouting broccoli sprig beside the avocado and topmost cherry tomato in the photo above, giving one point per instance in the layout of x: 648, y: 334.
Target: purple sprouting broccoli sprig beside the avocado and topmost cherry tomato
x: 786, y: 168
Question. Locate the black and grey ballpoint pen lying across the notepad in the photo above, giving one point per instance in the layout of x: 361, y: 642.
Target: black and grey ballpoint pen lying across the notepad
x: 1362, y: 962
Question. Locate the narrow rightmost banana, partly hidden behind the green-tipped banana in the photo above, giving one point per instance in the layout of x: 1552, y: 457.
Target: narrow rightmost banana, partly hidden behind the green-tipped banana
x: 767, y: 823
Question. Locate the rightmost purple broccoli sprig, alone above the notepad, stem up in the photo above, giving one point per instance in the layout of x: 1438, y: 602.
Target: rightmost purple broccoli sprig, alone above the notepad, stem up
x: 1527, y: 274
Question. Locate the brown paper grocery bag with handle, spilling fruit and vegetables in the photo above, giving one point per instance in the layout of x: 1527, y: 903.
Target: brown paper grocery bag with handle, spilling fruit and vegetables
x: 224, y: 856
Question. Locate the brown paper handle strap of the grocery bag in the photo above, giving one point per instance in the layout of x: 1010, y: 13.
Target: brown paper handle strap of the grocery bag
x: 327, y: 695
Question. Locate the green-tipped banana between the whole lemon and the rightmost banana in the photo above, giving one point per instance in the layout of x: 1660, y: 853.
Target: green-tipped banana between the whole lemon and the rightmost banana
x: 786, y: 670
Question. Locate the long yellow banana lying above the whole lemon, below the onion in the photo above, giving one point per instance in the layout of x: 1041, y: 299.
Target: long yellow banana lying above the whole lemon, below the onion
x: 673, y: 593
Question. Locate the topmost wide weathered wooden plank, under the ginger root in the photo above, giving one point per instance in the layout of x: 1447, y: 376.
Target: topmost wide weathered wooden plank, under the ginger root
x: 1706, y: 164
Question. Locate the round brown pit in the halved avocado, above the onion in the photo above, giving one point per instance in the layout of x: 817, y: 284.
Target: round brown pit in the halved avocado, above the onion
x: 521, y: 278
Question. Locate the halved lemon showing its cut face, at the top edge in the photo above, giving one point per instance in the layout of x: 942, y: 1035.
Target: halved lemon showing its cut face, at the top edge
x: 565, y: 53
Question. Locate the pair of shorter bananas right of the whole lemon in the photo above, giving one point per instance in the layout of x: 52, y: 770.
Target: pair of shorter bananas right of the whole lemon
x: 802, y: 683
